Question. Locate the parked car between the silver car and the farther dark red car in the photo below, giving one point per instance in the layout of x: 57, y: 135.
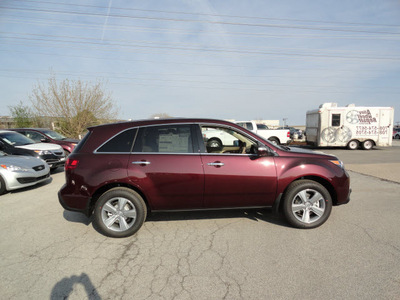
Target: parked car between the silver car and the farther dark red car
x: 14, y: 143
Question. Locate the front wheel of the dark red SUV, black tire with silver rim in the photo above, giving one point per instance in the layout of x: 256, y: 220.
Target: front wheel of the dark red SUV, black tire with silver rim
x: 306, y: 204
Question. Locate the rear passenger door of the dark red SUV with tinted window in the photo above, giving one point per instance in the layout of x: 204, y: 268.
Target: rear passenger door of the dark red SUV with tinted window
x: 166, y: 167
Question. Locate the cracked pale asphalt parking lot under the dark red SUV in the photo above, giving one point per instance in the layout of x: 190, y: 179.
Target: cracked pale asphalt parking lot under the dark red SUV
x: 47, y: 252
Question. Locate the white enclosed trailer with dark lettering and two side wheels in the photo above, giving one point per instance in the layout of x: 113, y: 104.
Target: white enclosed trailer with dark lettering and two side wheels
x: 350, y: 126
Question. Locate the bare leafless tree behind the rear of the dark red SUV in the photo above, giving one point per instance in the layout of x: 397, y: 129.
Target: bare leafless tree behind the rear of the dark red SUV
x: 75, y: 104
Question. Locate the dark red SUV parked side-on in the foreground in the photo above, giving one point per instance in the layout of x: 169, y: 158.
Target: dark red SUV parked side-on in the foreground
x: 121, y: 171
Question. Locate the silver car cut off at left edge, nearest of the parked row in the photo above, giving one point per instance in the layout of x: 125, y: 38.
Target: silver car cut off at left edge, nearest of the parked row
x: 21, y: 171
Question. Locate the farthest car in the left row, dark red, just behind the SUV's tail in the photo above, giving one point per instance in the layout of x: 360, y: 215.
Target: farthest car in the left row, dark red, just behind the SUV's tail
x: 46, y: 135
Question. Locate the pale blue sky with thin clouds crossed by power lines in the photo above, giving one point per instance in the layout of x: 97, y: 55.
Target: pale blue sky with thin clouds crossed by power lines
x: 242, y: 60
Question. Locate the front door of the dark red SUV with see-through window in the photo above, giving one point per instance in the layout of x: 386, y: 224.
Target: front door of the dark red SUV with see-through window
x: 235, y: 176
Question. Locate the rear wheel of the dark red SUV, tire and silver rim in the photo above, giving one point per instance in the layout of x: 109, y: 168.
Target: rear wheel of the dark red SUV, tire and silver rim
x: 123, y: 209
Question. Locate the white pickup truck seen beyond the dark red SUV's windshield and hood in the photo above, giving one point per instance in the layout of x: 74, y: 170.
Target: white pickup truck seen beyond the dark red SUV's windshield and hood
x: 275, y: 136
